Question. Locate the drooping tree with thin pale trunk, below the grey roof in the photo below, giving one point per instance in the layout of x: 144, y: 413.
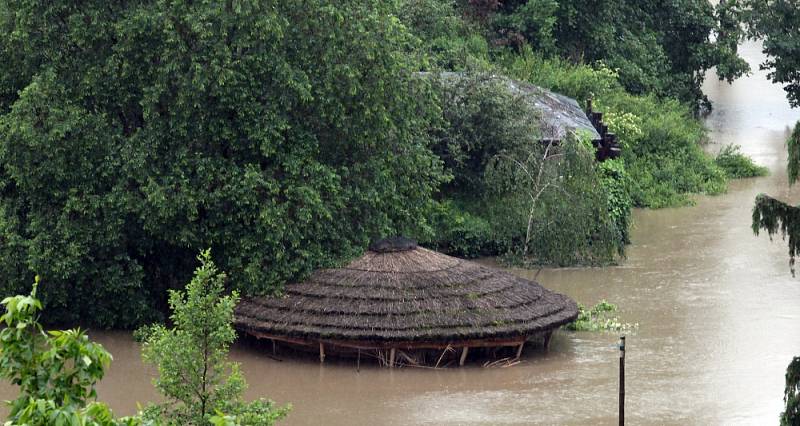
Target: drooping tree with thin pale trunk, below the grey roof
x: 561, y: 214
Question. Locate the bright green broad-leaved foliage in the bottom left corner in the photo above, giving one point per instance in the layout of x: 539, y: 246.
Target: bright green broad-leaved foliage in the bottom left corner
x: 56, y: 371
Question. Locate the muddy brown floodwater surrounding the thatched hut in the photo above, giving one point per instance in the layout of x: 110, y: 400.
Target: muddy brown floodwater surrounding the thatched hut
x: 717, y: 308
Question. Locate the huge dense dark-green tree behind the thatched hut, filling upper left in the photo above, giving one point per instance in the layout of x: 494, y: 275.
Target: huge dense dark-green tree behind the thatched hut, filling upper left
x: 285, y: 134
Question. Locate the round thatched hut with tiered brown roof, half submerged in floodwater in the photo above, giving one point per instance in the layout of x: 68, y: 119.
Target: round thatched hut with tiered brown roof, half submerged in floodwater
x: 401, y: 296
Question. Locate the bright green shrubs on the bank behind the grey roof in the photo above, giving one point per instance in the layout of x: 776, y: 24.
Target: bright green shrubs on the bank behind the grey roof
x: 661, y: 141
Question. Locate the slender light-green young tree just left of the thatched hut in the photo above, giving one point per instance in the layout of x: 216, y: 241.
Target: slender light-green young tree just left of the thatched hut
x: 193, y: 372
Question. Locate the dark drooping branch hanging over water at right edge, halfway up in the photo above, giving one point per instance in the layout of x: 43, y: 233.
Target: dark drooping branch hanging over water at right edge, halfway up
x: 775, y: 216
